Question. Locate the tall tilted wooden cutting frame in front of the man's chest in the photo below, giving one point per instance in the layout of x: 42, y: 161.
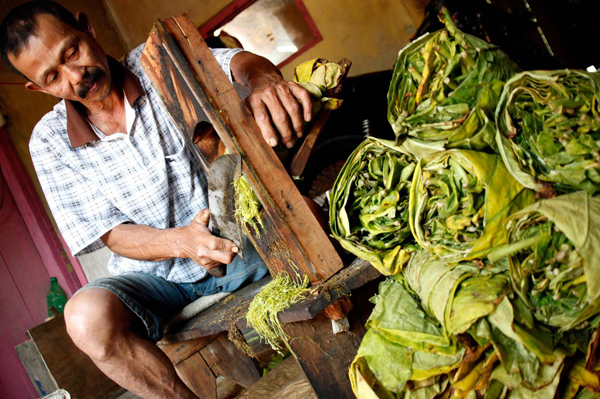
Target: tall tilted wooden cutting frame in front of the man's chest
x: 189, y: 80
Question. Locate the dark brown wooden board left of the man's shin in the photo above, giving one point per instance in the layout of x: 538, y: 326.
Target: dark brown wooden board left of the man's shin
x: 72, y: 370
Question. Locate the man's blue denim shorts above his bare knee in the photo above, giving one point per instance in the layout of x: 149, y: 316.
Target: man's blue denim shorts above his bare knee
x: 155, y: 300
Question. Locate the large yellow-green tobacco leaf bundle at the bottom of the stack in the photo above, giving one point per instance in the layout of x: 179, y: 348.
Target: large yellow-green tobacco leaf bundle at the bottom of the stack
x: 455, y: 332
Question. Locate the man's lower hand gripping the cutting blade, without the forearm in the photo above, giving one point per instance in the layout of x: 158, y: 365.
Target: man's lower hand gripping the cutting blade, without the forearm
x: 201, y: 246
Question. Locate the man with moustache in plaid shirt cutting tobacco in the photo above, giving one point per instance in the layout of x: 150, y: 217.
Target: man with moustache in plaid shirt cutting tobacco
x: 116, y: 172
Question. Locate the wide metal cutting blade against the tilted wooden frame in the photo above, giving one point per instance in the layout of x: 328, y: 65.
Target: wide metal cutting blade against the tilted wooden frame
x: 221, y: 199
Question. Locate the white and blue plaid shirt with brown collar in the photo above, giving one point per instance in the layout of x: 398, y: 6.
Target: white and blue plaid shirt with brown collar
x: 146, y: 176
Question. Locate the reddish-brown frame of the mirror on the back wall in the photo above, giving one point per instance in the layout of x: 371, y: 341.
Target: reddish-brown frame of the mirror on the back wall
x: 232, y: 10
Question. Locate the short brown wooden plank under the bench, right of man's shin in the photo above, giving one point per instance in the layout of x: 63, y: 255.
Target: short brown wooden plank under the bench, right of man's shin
x: 225, y: 359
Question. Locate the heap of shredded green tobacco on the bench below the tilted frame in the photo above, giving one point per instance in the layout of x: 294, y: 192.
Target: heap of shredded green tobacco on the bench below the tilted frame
x: 277, y: 296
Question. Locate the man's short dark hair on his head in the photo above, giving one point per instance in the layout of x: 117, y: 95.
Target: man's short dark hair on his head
x: 20, y: 24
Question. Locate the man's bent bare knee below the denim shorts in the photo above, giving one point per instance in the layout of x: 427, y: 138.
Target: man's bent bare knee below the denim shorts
x: 96, y: 320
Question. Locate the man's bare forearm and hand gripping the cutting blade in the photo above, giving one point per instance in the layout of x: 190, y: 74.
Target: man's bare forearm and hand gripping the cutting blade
x: 194, y: 241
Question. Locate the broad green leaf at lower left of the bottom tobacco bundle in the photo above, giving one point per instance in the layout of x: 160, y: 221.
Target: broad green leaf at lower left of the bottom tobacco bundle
x: 401, y: 345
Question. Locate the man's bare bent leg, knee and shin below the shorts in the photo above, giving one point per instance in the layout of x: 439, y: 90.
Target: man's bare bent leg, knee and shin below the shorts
x: 99, y: 324
